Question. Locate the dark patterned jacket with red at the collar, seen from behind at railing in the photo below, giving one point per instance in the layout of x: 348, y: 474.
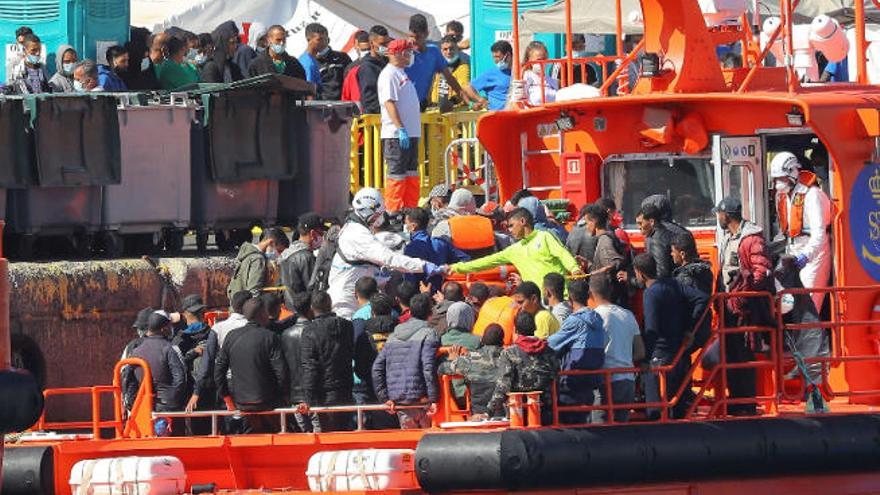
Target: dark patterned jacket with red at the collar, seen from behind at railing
x: 523, y: 372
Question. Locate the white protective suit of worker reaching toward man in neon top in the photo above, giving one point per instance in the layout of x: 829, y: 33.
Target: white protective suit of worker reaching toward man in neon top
x: 357, y: 243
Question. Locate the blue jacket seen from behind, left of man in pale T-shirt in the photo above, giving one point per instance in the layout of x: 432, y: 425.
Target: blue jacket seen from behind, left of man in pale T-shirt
x: 580, y: 343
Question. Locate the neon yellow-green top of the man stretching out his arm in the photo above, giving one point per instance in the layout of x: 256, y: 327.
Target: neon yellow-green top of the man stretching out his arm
x: 534, y: 256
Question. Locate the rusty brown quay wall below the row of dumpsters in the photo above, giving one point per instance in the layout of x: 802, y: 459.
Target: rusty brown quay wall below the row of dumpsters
x: 78, y: 315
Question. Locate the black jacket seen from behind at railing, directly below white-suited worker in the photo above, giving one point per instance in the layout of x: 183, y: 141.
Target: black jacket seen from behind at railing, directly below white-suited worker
x: 327, y: 354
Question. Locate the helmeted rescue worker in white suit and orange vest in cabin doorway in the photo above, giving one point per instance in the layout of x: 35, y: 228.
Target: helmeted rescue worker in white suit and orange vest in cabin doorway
x: 804, y: 214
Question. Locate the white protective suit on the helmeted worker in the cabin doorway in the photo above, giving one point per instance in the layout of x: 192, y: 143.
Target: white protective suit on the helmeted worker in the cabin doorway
x: 814, y: 242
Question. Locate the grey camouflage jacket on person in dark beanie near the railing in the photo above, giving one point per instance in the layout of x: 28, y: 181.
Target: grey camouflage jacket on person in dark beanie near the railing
x: 481, y: 371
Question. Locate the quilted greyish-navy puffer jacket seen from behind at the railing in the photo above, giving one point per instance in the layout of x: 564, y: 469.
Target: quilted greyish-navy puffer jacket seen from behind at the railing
x: 405, y: 370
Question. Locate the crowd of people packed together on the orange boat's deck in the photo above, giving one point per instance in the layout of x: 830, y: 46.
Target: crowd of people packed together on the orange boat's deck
x: 364, y: 309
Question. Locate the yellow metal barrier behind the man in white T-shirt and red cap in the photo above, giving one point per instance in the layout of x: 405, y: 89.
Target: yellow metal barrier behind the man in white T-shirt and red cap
x: 438, y: 130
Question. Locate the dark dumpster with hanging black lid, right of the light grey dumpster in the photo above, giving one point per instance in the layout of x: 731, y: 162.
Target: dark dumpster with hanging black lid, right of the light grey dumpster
x: 244, y: 140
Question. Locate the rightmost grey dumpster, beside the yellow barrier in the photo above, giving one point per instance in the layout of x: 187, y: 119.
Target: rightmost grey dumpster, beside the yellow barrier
x: 323, y: 182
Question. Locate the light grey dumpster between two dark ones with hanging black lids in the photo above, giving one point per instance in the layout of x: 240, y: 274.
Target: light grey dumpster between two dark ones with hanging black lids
x: 153, y: 196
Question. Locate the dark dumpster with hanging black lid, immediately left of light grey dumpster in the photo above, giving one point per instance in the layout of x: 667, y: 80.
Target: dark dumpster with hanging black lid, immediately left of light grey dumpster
x: 76, y: 149
